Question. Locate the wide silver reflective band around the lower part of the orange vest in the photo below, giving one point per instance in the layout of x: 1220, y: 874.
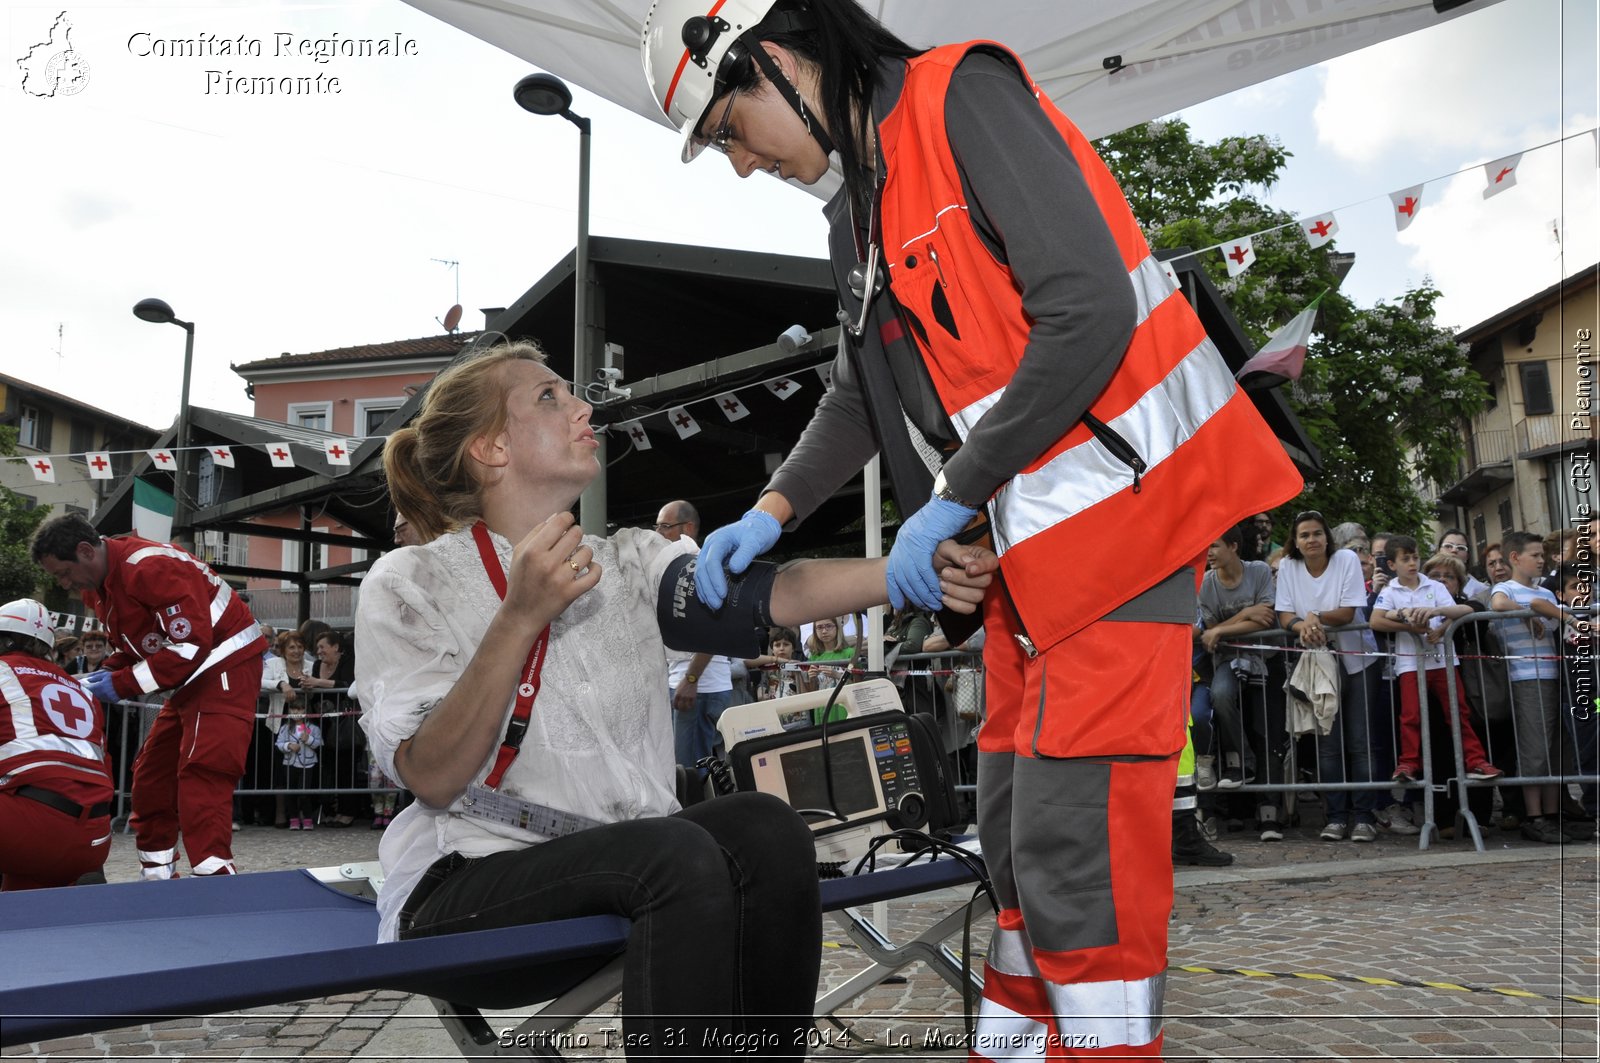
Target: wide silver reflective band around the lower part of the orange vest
x: 1156, y: 427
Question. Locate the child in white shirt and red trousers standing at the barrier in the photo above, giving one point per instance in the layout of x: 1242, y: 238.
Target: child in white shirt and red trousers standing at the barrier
x: 1417, y: 609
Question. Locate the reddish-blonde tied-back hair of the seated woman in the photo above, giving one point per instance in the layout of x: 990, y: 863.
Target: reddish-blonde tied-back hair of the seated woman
x: 433, y: 479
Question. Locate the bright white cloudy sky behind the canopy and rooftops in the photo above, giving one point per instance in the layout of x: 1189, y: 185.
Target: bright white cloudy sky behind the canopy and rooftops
x: 311, y: 223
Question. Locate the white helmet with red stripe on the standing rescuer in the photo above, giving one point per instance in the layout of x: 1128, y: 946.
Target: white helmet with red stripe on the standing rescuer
x: 684, y: 47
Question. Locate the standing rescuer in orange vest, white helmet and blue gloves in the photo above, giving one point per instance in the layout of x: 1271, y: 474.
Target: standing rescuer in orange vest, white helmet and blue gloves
x: 1014, y: 350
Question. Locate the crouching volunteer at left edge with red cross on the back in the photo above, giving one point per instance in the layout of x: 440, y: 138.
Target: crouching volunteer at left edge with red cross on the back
x: 55, y: 779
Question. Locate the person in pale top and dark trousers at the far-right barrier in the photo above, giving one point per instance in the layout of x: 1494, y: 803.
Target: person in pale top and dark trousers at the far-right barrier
x: 1535, y: 697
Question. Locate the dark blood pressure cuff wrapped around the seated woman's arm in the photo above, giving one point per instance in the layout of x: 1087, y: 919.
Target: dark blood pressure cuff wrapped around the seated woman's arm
x: 735, y: 630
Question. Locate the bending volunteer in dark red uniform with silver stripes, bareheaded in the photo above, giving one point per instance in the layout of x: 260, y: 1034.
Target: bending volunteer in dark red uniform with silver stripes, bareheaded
x: 174, y: 627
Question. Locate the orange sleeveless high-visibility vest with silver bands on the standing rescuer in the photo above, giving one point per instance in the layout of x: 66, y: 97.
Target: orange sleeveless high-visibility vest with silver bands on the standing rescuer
x: 1172, y: 452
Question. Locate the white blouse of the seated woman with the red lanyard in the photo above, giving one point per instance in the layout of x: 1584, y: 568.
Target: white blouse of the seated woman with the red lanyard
x: 601, y: 737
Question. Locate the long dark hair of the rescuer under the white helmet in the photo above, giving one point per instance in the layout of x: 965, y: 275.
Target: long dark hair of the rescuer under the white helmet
x: 847, y: 46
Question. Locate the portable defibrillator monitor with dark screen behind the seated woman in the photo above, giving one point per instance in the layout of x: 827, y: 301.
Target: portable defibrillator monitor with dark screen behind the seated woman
x: 863, y: 785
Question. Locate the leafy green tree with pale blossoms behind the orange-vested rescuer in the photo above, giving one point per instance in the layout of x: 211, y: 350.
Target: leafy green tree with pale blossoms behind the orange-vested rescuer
x: 1385, y: 388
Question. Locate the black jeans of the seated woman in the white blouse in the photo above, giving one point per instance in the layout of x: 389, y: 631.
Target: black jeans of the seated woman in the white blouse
x: 727, y: 941
